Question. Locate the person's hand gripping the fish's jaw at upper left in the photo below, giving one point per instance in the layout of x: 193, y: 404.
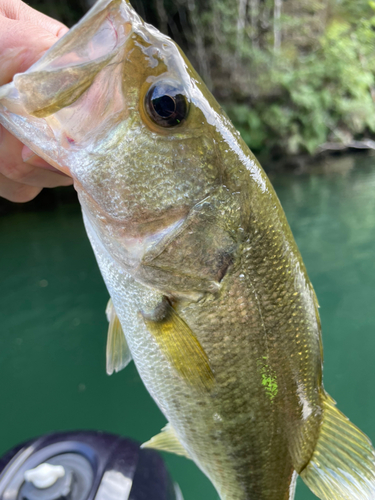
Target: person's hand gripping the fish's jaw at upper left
x: 25, y: 34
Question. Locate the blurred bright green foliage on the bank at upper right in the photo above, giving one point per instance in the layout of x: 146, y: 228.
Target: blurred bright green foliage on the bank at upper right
x: 327, y: 94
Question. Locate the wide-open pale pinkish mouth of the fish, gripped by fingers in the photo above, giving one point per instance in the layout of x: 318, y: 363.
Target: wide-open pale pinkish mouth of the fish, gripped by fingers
x: 49, y: 107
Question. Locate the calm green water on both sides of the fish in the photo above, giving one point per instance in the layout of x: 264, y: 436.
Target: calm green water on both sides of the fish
x: 53, y: 328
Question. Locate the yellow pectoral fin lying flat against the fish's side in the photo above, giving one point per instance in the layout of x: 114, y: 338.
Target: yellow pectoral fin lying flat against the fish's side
x: 181, y: 347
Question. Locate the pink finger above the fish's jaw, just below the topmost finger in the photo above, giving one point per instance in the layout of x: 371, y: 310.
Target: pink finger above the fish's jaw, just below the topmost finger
x: 23, y: 45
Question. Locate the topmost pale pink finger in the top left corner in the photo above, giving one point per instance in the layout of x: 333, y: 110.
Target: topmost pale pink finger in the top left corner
x: 17, y: 10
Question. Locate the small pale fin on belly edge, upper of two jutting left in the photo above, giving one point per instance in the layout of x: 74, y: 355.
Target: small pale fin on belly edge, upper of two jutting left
x: 118, y: 353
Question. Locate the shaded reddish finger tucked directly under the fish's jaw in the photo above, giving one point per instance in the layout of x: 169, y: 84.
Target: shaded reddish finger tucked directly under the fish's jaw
x: 30, y: 173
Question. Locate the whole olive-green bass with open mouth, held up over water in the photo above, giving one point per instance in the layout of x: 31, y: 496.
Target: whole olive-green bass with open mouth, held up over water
x: 209, y: 293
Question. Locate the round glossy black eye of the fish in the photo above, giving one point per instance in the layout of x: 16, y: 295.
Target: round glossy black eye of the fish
x: 166, y: 104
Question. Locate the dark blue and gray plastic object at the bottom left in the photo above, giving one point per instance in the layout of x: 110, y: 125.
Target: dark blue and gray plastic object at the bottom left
x: 97, y: 466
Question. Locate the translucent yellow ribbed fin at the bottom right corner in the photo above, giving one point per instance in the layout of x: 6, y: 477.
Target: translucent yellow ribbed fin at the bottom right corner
x: 343, y: 463
